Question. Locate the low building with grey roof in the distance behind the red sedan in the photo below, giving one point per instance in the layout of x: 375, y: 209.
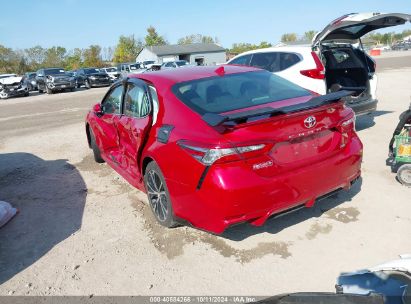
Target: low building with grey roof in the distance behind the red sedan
x: 200, y: 53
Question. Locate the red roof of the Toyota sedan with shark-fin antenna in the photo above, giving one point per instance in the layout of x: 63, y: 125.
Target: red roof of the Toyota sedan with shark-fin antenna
x: 192, y: 73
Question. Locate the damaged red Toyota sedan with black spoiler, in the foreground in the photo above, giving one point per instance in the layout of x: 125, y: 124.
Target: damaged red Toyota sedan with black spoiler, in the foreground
x: 217, y: 146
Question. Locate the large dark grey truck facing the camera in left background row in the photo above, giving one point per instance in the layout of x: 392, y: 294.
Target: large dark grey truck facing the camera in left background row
x: 51, y: 80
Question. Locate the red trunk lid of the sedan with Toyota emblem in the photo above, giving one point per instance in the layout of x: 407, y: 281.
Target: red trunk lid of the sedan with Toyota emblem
x: 293, y: 138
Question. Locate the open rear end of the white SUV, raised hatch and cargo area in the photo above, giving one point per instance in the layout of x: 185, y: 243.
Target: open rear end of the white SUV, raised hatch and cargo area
x: 347, y: 65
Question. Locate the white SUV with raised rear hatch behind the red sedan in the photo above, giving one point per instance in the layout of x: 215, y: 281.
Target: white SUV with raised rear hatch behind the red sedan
x: 333, y: 62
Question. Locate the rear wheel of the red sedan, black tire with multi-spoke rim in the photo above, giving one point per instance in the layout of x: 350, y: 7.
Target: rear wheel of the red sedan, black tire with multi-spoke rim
x: 158, y: 196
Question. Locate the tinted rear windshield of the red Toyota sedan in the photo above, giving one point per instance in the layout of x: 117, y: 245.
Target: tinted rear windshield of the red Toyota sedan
x: 236, y: 91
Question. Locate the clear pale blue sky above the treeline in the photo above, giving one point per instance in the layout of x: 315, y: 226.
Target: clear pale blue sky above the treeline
x: 80, y: 23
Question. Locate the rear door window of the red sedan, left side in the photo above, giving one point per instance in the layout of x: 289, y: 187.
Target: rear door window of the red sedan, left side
x: 136, y: 101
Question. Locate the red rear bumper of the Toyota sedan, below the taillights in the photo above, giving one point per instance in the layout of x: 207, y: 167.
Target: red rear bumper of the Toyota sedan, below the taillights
x: 234, y: 194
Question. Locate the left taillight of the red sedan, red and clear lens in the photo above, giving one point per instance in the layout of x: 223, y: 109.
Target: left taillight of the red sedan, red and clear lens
x: 208, y: 155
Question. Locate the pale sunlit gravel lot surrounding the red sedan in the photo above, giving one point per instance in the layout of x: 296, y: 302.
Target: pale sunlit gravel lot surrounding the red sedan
x: 83, y: 230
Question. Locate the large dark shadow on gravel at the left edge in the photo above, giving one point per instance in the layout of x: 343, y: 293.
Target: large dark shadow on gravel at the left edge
x: 50, y: 196
